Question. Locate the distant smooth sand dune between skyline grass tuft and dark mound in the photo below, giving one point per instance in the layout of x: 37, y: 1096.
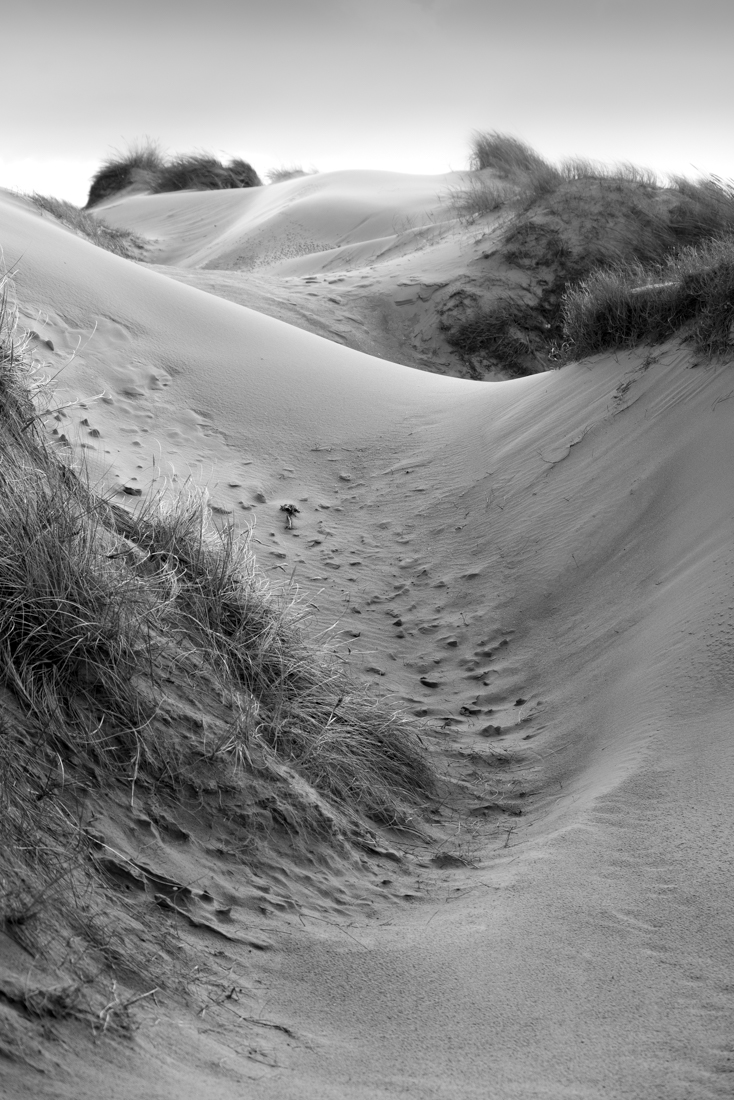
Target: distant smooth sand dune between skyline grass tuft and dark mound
x: 371, y: 260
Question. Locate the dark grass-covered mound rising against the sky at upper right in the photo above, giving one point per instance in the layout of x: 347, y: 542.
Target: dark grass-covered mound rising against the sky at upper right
x: 580, y: 237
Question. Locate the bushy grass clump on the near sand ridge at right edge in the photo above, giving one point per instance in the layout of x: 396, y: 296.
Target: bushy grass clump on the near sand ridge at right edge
x: 692, y: 294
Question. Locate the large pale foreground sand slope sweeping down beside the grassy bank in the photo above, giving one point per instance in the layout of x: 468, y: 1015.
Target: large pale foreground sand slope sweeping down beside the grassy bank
x: 553, y: 557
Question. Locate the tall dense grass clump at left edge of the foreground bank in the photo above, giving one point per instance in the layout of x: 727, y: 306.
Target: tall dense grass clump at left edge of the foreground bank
x: 72, y: 622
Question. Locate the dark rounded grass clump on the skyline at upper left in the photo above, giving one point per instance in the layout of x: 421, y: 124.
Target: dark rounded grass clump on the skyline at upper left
x: 146, y: 168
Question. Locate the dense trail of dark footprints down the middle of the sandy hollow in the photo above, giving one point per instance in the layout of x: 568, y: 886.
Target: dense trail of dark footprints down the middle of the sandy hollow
x: 428, y: 653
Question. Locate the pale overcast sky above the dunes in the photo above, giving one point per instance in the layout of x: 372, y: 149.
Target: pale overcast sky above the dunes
x: 370, y: 84
